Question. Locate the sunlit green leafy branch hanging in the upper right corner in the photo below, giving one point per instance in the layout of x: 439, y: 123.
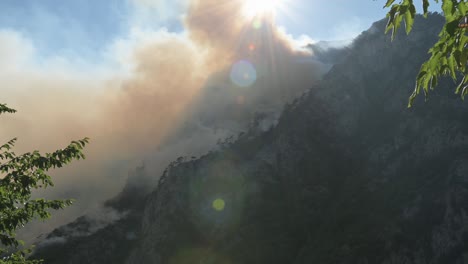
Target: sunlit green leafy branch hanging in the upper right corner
x: 448, y: 56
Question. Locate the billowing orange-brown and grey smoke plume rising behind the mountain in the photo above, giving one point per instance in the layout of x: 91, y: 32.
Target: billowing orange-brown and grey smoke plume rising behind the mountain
x: 183, y: 92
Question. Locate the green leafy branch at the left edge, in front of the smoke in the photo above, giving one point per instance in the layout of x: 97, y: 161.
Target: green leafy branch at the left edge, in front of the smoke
x: 20, y: 175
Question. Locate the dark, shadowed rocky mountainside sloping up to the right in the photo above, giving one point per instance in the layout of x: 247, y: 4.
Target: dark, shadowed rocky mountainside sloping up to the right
x: 349, y: 175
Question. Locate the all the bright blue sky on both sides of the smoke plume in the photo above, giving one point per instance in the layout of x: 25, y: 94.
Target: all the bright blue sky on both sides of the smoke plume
x: 85, y: 28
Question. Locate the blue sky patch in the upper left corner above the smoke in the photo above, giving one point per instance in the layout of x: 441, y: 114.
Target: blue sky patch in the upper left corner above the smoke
x: 73, y: 28
